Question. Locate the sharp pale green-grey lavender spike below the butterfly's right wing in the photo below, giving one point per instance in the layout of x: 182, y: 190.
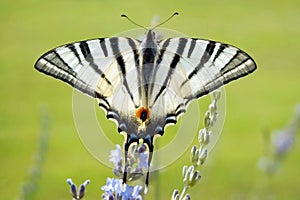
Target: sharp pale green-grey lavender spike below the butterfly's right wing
x: 191, y: 174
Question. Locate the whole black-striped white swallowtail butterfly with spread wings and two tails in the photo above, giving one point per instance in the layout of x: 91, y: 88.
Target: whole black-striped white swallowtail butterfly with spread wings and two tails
x: 145, y: 85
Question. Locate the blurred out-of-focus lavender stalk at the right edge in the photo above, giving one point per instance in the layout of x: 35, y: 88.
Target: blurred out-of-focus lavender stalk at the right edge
x: 277, y: 145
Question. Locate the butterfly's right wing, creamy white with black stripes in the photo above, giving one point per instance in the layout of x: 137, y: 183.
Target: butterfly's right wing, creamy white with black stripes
x: 191, y: 68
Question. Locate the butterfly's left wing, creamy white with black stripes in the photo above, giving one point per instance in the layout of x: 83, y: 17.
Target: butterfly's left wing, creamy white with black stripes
x: 97, y: 68
